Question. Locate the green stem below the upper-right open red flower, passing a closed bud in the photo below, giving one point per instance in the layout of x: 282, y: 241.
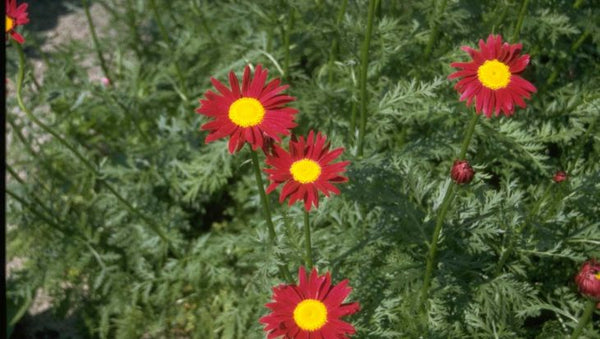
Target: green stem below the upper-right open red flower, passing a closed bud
x: 431, y: 257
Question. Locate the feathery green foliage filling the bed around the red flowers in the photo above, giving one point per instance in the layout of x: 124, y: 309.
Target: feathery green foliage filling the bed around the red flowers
x: 106, y: 266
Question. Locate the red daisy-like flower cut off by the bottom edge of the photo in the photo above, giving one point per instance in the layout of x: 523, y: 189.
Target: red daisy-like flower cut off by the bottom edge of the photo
x: 311, y: 309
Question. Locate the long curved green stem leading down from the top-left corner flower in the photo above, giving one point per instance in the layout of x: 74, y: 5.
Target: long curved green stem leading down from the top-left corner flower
x: 86, y: 163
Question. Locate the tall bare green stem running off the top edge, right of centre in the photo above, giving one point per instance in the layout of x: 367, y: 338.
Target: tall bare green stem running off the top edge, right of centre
x: 364, y: 65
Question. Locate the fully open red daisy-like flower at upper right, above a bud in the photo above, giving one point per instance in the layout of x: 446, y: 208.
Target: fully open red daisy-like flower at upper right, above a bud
x: 492, y: 77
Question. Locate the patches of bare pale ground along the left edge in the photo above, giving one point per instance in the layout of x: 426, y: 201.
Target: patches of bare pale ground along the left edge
x: 54, y: 22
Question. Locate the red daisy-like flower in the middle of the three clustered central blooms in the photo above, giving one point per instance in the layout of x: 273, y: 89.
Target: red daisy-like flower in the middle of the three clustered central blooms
x: 305, y: 170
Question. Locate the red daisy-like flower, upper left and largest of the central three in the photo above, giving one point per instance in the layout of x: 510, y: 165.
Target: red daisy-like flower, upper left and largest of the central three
x: 249, y: 114
